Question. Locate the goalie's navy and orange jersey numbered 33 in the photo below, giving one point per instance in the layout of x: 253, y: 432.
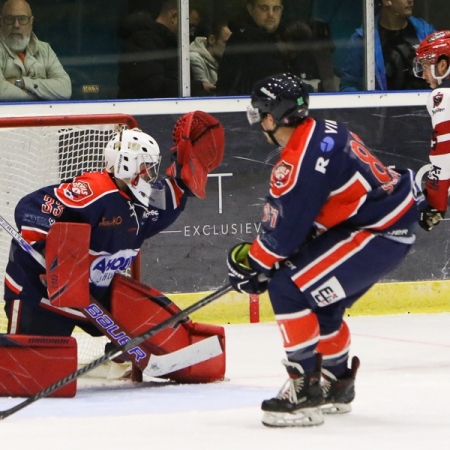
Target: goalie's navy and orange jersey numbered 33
x: 119, y: 227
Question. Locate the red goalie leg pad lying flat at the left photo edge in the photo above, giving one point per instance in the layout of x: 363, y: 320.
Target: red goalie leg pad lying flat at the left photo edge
x: 30, y: 364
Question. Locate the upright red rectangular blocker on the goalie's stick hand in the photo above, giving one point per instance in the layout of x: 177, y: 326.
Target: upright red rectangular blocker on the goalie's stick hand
x: 67, y: 264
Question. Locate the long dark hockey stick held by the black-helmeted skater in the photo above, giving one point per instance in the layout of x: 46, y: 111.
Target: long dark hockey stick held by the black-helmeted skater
x: 118, y: 351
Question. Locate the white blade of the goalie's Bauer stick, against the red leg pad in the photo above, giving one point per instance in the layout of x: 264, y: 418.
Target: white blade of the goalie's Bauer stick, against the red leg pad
x: 188, y: 356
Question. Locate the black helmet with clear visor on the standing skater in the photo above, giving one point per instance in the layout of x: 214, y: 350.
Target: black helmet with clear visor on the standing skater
x: 284, y: 96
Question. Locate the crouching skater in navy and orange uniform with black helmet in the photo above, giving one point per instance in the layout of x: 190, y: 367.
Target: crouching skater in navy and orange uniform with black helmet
x: 335, y: 222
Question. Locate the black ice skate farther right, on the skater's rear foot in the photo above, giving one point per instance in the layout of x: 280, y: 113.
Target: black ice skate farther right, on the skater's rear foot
x: 339, y: 392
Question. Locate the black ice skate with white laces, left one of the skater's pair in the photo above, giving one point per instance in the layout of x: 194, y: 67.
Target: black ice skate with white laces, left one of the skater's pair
x: 297, y: 403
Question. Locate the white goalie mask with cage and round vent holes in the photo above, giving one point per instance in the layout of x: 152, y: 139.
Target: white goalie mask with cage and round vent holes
x: 133, y: 156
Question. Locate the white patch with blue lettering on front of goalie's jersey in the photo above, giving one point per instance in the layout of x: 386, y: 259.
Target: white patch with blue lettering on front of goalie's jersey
x: 104, y: 267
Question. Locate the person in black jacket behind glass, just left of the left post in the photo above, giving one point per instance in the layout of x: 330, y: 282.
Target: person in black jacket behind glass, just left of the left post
x: 148, y: 64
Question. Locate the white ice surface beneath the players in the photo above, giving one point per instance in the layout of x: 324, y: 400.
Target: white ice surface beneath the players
x: 402, y: 400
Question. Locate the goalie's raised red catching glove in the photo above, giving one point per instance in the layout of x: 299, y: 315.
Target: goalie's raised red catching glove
x: 199, y: 142
